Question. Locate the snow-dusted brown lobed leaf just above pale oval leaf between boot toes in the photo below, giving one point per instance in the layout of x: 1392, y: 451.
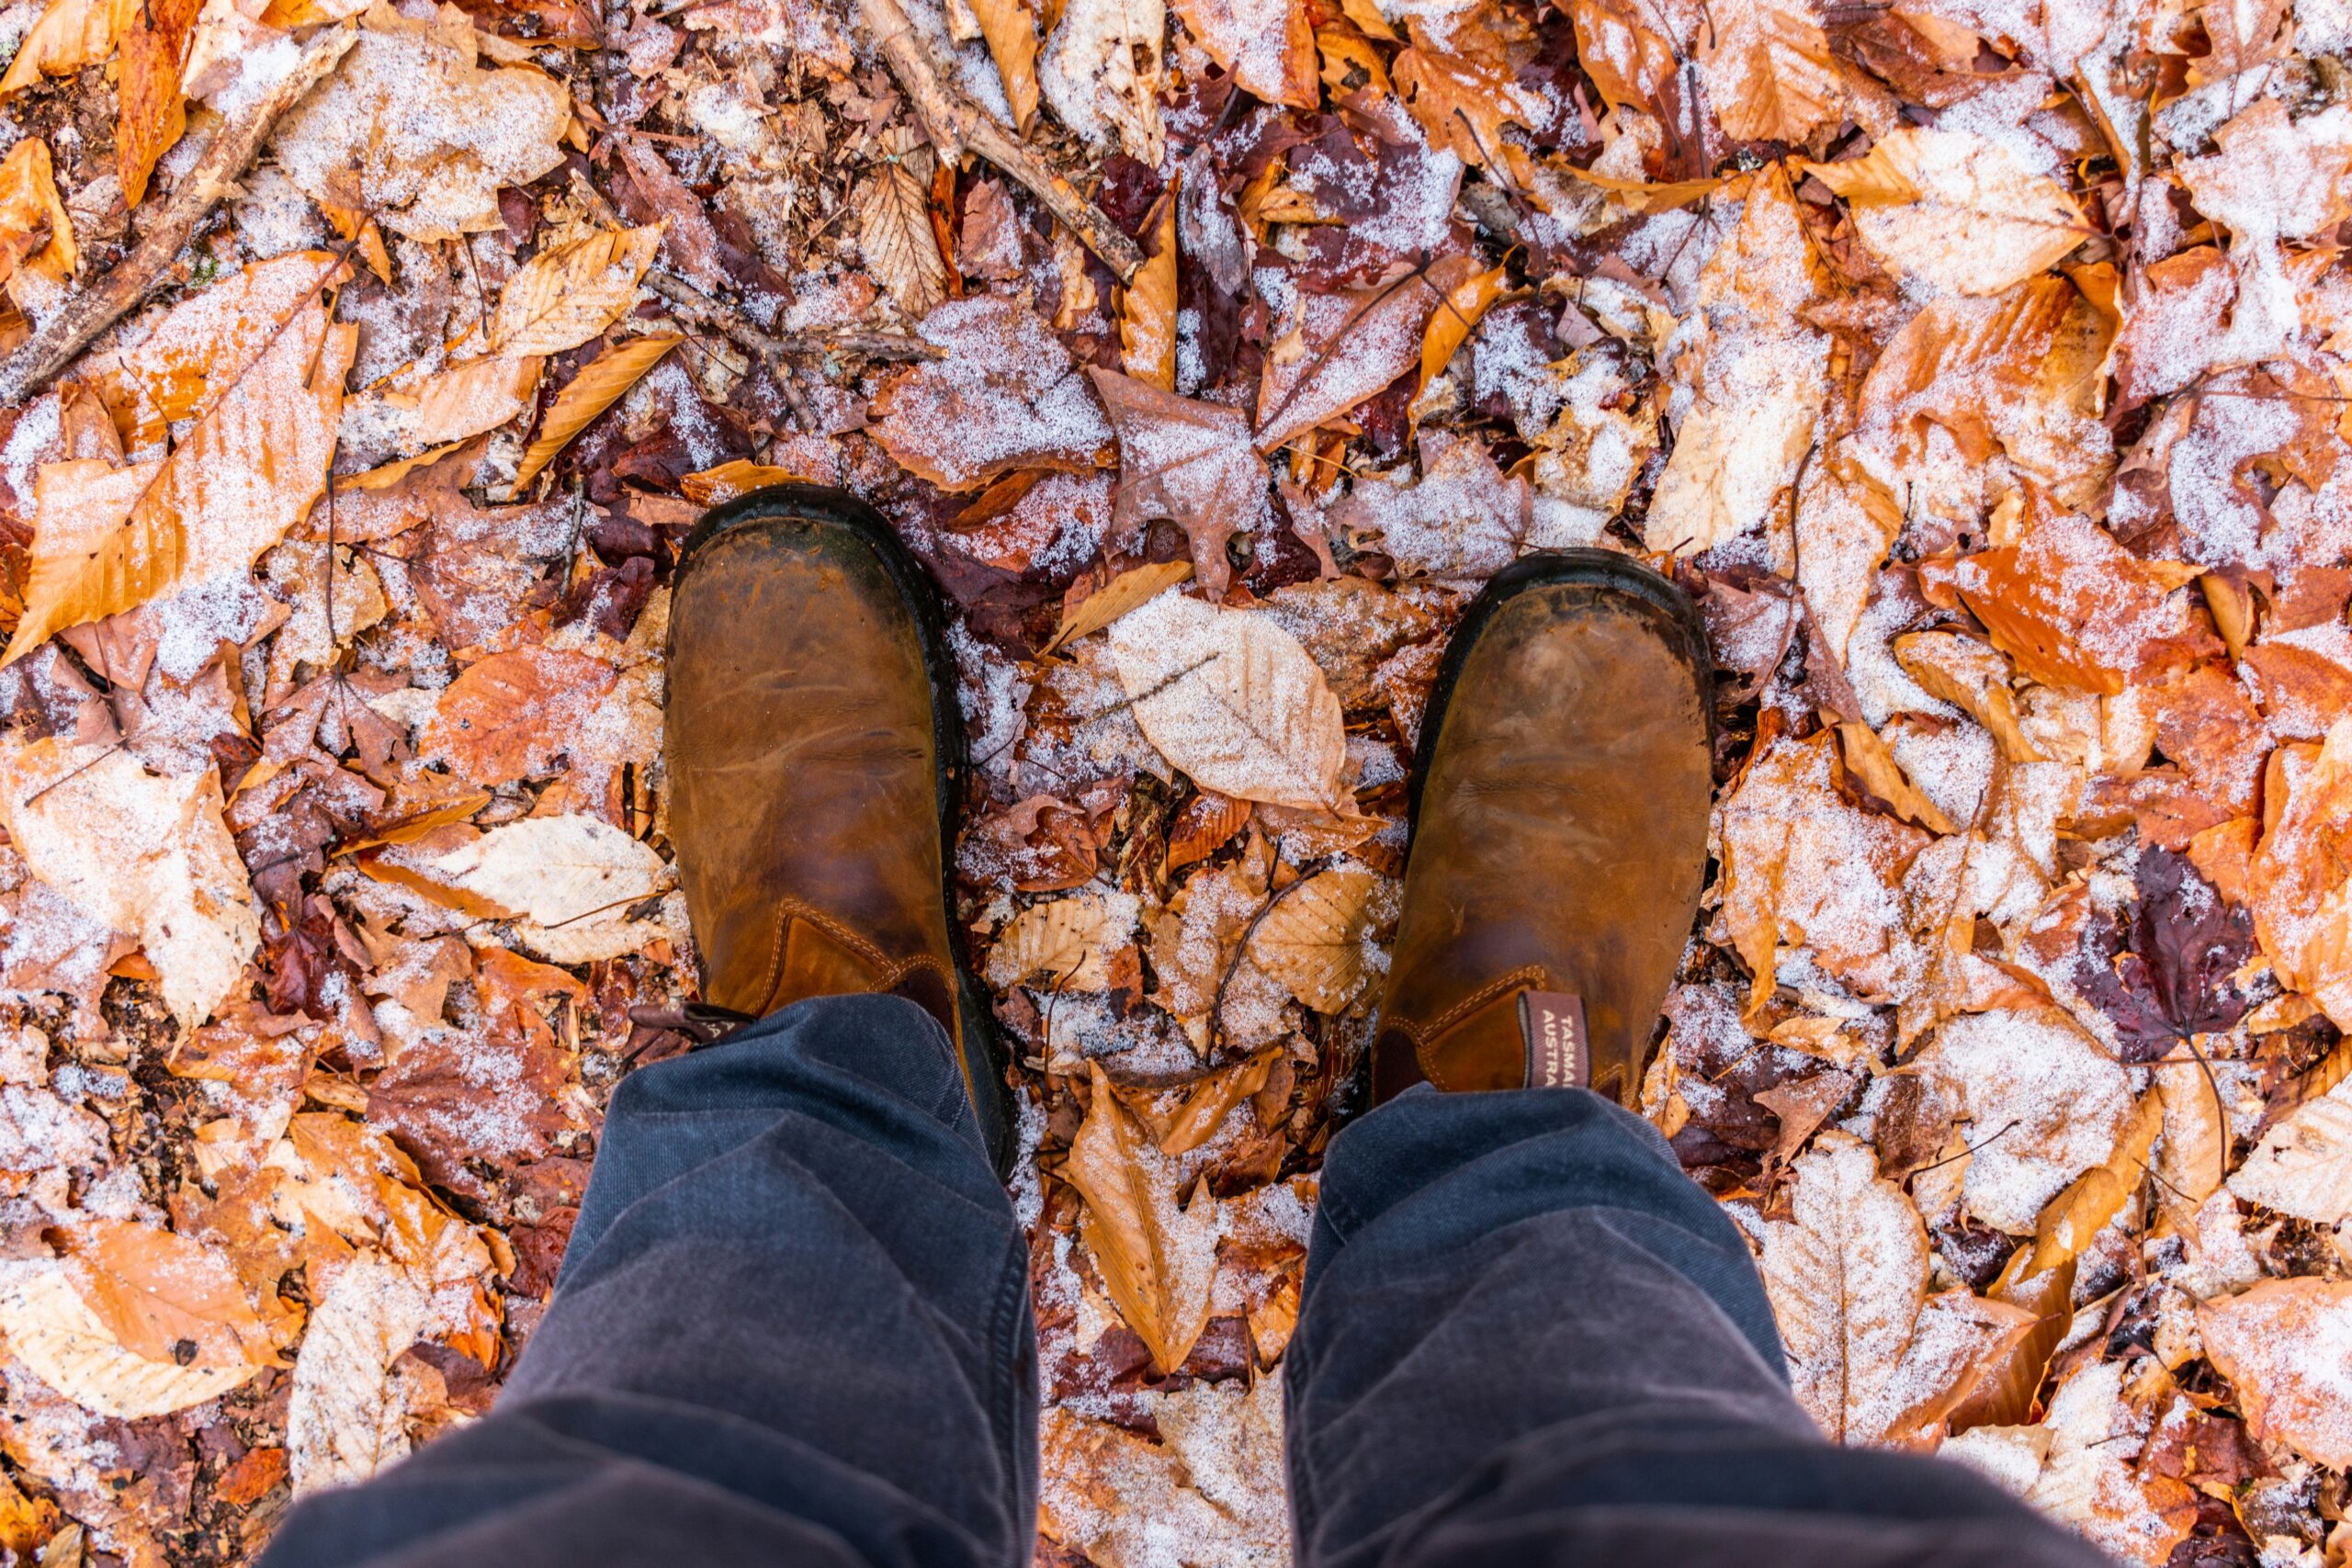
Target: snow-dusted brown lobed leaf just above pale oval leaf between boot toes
x: 1189, y: 462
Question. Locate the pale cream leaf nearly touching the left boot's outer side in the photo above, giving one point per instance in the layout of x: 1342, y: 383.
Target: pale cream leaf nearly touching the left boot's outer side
x: 573, y: 880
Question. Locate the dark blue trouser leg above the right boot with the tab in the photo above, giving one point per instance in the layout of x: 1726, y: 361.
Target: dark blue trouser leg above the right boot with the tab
x: 1528, y: 1339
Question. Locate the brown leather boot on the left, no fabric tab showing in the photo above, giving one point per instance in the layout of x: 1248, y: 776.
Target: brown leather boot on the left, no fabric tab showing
x: 815, y: 753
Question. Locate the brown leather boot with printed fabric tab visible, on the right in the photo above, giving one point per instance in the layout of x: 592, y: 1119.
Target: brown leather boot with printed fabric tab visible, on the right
x: 1558, y: 836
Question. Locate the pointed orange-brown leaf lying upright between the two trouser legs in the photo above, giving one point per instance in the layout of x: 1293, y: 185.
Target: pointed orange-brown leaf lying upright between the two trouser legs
x: 1158, y: 1259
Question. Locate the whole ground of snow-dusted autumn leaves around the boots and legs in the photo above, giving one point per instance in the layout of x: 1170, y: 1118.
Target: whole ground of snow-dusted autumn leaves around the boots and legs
x: 1979, y: 368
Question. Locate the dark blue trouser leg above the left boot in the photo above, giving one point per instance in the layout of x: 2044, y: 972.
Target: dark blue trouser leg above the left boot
x: 791, y: 1329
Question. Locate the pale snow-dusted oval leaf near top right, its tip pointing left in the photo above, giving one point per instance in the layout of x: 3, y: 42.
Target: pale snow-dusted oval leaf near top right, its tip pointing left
x: 1956, y: 210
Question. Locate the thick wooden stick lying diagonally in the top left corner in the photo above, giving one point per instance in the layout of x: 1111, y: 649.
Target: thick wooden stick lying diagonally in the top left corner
x: 131, y: 281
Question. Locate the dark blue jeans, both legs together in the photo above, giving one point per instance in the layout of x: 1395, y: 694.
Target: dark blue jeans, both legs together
x: 794, y: 1329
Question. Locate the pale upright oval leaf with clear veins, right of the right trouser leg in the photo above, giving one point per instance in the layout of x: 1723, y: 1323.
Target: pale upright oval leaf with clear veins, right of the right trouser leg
x: 1847, y: 1278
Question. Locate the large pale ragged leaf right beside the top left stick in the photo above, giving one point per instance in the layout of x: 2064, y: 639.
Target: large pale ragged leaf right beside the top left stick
x: 417, y: 133
